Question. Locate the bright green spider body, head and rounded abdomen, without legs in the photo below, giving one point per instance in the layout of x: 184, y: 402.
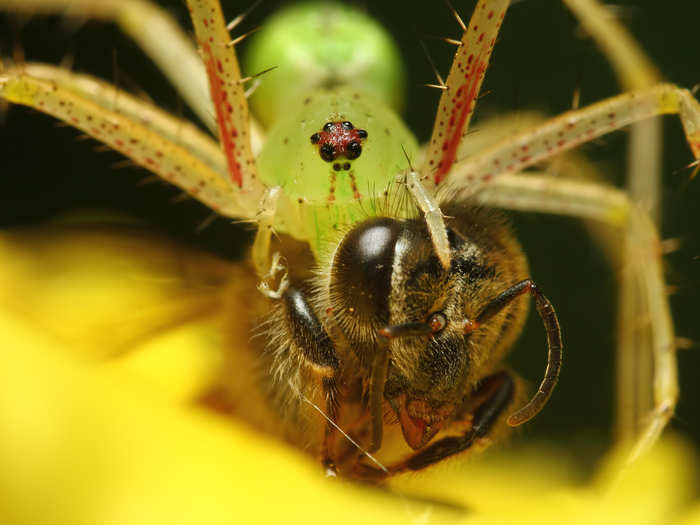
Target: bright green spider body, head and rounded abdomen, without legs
x: 332, y: 64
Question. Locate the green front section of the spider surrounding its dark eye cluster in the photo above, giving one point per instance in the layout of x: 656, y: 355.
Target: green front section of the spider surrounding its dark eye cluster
x: 321, y: 200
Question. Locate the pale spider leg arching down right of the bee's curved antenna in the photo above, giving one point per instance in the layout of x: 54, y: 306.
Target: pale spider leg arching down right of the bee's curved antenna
x: 643, y: 263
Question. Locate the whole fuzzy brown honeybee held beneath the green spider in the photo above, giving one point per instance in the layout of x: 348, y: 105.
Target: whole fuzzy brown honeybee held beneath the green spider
x: 381, y: 337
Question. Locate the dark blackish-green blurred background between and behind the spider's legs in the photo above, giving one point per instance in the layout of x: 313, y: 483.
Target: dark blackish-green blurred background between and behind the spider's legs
x: 541, y: 59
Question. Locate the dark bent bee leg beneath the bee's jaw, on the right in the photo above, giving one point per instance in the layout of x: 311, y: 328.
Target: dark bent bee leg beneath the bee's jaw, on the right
x: 493, y: 394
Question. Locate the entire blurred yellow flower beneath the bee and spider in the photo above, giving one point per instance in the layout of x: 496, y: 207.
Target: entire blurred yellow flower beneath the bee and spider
x: 105, y: 342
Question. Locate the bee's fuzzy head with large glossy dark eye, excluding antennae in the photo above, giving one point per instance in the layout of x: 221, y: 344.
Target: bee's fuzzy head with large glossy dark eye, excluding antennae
x: 385, y: 273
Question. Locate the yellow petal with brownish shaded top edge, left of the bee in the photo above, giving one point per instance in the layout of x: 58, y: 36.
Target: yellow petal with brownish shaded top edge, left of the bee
x: 112, y: 293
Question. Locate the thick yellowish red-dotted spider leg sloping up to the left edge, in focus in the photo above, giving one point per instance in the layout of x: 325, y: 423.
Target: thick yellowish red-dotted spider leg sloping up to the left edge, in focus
x: 149, y: 137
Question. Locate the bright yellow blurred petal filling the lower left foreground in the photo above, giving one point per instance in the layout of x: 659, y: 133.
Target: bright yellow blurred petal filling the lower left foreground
x: 82, y: 445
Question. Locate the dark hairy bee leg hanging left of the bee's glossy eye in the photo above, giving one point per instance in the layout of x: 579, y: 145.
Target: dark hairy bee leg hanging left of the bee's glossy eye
x: 310, y: 337
